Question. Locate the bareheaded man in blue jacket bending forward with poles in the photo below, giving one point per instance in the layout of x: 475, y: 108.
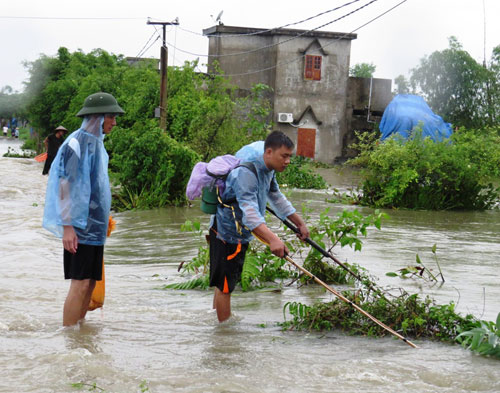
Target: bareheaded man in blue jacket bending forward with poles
x: 230, y: 234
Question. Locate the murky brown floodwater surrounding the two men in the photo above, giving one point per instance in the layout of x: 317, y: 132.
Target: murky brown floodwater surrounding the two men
x: 172, y: 340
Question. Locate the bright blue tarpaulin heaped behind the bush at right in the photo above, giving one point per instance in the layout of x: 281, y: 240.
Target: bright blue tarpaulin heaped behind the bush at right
x: 404, y: 113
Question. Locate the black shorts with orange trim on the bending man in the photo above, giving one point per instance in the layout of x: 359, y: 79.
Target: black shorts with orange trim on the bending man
x: 226, y: 262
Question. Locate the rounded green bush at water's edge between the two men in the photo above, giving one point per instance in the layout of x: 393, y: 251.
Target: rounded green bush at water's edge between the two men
x: 151, y: 168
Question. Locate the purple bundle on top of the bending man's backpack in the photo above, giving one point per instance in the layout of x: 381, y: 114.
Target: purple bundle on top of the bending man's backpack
x: 218, y: 166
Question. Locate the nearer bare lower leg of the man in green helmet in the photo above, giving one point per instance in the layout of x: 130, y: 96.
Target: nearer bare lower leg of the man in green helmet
x: 77, y: 301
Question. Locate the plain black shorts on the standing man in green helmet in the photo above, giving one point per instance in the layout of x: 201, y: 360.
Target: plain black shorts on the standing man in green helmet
x: 86, y: 263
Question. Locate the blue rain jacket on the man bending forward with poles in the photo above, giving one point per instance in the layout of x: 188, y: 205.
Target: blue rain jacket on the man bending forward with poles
x: 252, y: 194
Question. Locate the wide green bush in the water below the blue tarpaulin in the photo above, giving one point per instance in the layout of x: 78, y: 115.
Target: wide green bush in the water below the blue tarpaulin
x: 419, y: 173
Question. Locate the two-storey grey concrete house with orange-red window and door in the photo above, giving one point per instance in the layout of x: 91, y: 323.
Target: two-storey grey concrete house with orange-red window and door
x: 308, y: 72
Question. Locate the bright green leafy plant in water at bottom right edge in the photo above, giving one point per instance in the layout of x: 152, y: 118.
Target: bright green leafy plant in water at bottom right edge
x: 484, y: 339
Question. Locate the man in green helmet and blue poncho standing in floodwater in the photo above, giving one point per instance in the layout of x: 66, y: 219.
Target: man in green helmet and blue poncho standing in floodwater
x: 78, y: 201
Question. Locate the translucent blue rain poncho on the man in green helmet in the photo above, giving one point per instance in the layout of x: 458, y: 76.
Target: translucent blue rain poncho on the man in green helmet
x: 78, y: 191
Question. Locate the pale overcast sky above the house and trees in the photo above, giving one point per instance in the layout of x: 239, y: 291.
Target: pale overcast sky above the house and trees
x: 394, y: 43
